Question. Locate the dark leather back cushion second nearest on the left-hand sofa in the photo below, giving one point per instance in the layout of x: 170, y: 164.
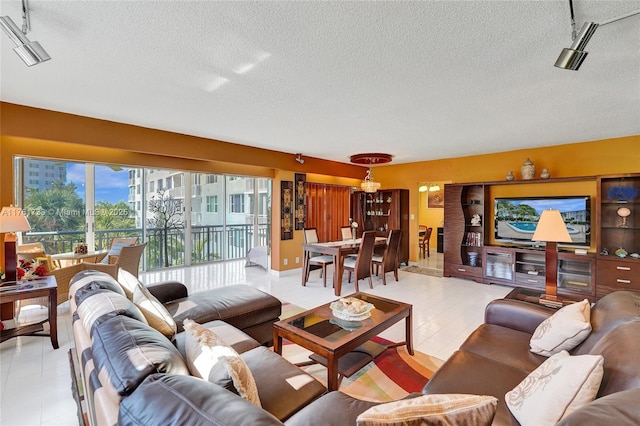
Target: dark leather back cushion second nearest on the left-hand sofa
x: 126, y: 351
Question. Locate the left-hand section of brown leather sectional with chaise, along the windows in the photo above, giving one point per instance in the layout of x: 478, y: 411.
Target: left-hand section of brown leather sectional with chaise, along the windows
x: 123, y: 358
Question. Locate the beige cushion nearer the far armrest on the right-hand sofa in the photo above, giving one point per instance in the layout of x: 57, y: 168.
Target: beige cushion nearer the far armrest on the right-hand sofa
x: 564, y: 330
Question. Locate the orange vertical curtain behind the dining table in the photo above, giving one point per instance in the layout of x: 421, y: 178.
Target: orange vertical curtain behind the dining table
x: 327, y: 209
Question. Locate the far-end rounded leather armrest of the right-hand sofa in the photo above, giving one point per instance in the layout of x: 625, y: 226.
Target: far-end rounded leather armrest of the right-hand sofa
x: 516, y: 314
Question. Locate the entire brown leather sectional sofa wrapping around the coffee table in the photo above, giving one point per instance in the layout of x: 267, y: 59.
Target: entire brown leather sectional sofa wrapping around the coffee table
x: 492, y: 361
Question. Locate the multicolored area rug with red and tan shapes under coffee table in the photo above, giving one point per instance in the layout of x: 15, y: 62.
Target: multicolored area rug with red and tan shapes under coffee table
x: 392, y: 375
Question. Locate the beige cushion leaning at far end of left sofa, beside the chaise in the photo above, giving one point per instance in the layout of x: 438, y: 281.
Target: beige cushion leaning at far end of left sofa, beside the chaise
x: 155, y: 313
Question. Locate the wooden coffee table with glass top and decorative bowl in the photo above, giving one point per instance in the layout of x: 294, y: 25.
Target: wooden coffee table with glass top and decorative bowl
x: 332, y: 339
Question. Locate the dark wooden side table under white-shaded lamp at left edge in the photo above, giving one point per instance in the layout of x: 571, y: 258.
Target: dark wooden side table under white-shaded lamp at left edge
x: 43, y: 287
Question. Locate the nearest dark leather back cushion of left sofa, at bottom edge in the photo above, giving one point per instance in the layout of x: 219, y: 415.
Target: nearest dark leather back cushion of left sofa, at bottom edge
x: 167, y: 399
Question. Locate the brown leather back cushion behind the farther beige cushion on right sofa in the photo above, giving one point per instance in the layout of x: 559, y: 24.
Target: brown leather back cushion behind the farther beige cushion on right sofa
x: 609, y: 312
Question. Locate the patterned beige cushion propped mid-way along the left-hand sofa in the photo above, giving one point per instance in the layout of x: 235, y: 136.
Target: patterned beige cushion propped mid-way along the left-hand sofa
x: 205, y: 350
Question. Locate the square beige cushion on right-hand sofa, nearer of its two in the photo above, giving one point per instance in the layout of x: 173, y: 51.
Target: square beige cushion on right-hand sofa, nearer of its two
x: 559, y: 386
